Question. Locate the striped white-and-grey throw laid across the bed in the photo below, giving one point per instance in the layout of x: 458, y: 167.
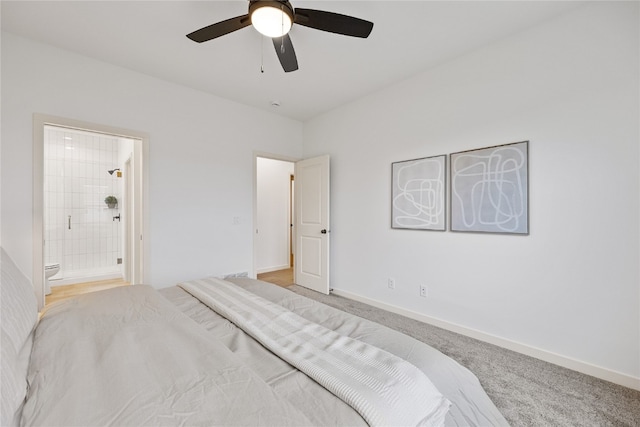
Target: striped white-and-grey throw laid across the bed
x: 383, y: 388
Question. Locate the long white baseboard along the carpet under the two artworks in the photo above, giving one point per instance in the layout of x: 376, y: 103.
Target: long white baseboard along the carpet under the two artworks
x: 557, y: 359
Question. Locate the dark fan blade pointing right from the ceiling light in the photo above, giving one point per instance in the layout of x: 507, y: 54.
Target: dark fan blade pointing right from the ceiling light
x: 333, y: 22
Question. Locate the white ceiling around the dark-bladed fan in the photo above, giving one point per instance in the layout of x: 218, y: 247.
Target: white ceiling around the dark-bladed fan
x: 149, y: 37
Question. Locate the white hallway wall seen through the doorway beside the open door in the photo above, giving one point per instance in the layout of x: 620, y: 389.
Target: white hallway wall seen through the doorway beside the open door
x: 272, y: 240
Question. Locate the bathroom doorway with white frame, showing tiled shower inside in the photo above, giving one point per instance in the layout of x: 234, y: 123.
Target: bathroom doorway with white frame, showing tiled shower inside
x: 89, y: 195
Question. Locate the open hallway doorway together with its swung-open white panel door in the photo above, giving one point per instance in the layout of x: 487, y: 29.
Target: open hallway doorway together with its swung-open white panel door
x: 305, y: 231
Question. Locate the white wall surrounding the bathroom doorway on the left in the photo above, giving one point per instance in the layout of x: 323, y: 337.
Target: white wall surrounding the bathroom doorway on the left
x: 201, y: 155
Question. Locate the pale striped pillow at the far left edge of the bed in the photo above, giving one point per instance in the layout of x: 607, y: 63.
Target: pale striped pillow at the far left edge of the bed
x: 18, y: 318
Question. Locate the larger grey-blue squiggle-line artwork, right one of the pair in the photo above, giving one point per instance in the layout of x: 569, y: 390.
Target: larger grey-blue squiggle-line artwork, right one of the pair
x: 490, y: 190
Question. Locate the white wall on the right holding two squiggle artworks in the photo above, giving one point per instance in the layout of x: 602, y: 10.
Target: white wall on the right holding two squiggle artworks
x: 570, y: 86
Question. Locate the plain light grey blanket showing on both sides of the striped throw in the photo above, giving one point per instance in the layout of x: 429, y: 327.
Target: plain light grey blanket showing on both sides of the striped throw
x: 470, y: 404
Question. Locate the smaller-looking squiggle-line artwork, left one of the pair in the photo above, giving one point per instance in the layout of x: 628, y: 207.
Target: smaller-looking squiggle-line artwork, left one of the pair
x: 418, y: 194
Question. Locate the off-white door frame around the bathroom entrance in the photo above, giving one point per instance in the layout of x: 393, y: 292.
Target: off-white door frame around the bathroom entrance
x: 39, y: 122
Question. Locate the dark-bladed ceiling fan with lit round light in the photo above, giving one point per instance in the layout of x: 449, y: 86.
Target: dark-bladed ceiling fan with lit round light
x: 274, y: 19
